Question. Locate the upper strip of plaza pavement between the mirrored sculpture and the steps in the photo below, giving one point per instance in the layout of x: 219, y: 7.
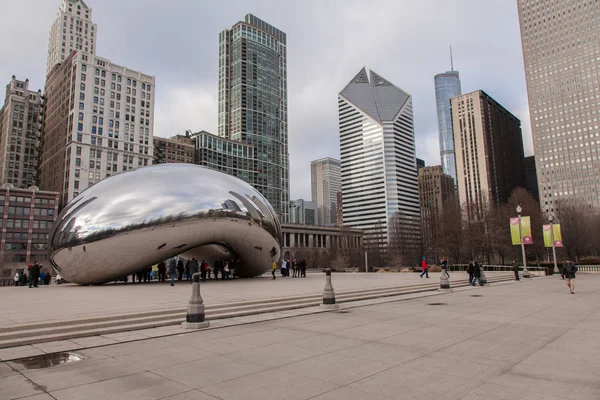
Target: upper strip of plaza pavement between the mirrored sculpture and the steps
x: 21, y: 305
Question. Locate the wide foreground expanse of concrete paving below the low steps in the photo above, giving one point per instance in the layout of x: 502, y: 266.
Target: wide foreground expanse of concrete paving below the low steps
x: 526, y: 340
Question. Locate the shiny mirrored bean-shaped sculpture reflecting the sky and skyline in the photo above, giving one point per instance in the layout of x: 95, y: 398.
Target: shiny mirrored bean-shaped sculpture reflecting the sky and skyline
x: 137, y: 218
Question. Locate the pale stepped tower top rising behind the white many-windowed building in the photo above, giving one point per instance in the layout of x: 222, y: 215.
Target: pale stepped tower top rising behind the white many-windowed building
x: 72, y: 30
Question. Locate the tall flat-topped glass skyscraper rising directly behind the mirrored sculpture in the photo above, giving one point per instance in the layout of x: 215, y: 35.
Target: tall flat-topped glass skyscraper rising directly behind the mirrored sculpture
x: 253, y: 102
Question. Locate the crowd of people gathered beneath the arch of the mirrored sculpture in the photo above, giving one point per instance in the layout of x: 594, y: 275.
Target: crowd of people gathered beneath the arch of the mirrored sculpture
x: 174, y: 269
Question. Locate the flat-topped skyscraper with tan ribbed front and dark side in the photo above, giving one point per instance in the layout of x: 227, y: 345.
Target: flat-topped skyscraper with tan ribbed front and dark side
x: 489, y: 152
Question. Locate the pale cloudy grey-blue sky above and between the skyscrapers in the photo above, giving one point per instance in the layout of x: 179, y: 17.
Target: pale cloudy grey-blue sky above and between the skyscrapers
x: 405, y: 41
